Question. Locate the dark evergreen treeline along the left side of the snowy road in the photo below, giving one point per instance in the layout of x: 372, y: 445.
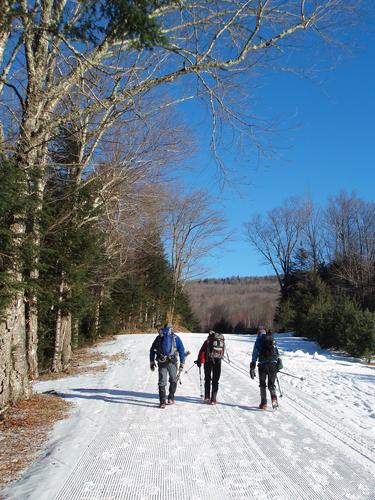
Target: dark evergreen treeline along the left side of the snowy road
x: 91, y: 277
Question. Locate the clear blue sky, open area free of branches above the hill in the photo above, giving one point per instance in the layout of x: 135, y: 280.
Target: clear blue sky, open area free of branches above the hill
x: 324, y: 142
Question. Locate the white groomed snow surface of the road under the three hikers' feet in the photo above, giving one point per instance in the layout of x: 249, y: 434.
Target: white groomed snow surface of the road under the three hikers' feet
x: 117, y: 443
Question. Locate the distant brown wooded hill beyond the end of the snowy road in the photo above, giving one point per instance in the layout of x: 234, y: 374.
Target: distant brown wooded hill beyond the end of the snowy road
x: 235, y: 304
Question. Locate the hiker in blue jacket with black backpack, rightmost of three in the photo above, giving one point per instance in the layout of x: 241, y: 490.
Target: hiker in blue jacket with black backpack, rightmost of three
x: 265, y: 351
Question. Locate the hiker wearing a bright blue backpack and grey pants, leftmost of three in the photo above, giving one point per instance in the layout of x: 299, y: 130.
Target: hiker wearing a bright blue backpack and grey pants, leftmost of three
x: 164, y: 350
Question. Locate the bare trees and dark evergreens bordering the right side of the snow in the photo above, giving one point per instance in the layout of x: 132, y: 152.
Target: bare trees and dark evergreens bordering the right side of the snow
x: 324, y: 260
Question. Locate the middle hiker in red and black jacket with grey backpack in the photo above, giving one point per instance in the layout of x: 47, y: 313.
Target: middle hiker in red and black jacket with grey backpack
x: 210, y: 354
